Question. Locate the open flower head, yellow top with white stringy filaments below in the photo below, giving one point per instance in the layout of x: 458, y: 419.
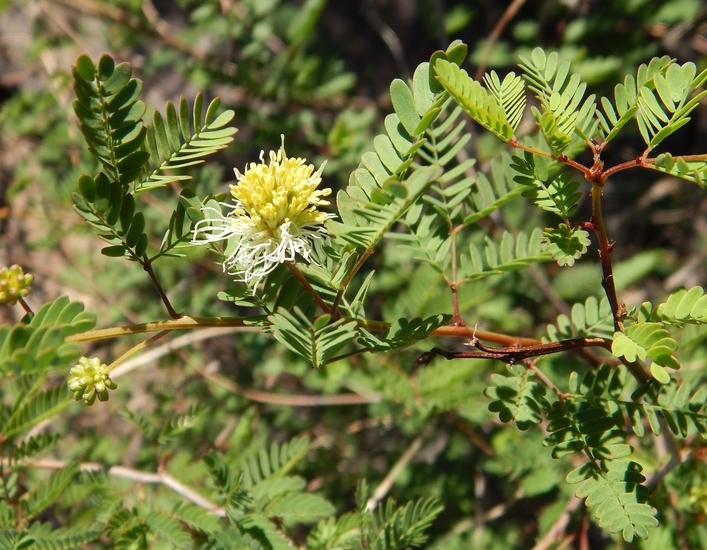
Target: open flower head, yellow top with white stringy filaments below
x: 274, y: 216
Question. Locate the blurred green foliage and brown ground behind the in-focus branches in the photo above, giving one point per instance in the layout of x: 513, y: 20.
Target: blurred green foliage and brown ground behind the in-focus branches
x: 318, y: 72
